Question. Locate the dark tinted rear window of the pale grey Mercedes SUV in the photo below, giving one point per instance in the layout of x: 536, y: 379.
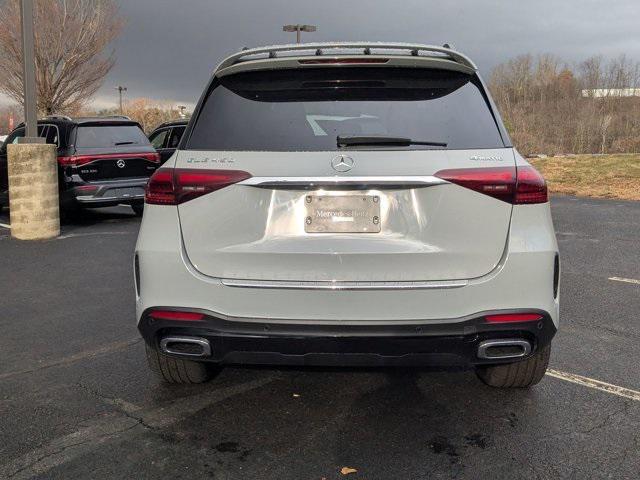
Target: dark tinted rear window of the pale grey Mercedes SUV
x: 306, y: 109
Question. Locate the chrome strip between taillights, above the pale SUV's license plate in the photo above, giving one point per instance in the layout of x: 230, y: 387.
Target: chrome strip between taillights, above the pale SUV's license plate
x: 370, y: 181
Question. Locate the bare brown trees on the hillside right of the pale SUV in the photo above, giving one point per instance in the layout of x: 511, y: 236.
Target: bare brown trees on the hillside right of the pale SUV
x: 551, y: 107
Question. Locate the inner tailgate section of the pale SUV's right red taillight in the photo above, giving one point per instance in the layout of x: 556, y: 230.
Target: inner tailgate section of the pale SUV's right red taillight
x: 497, y: 182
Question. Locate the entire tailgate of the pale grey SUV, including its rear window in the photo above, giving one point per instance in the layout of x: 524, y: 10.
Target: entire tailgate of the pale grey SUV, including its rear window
x: 300, y: 205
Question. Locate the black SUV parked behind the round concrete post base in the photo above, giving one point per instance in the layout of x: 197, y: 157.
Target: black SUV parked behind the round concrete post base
x: 103, y: 161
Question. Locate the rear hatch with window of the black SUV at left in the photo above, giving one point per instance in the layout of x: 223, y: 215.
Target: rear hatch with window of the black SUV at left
x: 106, y: 150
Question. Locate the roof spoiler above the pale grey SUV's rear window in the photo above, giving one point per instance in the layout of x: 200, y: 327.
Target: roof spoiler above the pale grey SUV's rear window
x: 366, y: 47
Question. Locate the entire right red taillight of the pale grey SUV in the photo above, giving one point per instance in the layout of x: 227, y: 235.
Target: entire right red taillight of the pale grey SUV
x: 521, y: 185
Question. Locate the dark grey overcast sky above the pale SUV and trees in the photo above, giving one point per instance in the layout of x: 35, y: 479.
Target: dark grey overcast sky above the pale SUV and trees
x: 169, y: 47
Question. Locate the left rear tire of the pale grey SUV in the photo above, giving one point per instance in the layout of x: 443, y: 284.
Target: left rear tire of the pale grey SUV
x: 177, y: 370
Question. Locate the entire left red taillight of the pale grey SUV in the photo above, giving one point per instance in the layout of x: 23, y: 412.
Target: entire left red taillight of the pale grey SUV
x: 174, y: 186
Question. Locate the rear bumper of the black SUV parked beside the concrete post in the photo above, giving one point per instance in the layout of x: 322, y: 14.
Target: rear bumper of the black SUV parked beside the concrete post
x: 109, y: 193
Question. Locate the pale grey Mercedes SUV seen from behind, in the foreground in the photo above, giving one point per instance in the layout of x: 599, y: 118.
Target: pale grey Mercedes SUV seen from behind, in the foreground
x: 347, y: 204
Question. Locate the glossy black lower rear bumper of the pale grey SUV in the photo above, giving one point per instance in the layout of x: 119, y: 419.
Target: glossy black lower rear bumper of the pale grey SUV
x: 441, y: 343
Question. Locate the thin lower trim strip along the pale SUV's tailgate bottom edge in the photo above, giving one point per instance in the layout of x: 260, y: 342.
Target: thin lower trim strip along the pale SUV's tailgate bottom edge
x: 324, y: 285
